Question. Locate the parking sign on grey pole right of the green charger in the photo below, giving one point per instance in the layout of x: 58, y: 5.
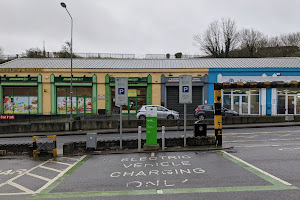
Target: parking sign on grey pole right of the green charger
x: 185, y: 96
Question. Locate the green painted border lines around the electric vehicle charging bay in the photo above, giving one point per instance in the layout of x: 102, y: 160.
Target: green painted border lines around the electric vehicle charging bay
x: 277, y: 184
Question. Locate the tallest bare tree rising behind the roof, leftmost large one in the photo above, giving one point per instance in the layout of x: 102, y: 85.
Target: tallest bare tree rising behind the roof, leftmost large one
x: 219, y: 38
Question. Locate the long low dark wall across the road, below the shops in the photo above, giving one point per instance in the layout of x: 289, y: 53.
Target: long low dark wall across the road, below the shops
x: 114, y: 124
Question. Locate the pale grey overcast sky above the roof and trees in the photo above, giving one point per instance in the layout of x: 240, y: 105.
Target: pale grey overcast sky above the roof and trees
x: 134, y: 26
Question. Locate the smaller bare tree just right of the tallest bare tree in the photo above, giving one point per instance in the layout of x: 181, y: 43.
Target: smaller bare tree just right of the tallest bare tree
x: 252, y: 40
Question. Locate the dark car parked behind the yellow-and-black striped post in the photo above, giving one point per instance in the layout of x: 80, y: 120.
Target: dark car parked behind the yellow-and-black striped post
x: 207, y: 111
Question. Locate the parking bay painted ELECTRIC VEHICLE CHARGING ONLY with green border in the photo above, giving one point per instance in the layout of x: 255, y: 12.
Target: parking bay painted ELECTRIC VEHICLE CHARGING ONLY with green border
x: 162, y: 173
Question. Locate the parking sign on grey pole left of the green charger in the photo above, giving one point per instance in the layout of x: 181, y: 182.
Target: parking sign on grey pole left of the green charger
x: 121, y: 93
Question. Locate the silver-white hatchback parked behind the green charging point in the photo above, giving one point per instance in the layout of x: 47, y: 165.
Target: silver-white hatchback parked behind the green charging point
x: 162, y: 113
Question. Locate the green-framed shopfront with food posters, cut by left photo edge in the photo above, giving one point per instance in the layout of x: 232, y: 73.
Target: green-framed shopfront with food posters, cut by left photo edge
x: 21, y: 95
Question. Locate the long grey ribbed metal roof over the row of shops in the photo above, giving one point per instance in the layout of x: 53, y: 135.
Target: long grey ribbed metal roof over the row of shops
x: 61, y: 63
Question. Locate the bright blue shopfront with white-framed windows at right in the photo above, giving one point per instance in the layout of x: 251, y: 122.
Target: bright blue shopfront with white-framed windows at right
x: 264, y: 101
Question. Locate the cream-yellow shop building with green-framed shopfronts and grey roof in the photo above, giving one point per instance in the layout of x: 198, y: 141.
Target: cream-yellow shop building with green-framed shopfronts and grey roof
x: 45, y: 84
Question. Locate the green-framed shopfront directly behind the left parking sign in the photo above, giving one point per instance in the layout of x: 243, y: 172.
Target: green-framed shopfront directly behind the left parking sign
x: 139, y: 94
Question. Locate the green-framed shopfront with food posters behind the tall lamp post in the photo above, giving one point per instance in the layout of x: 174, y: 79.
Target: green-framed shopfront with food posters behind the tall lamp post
x: 84, y: 96
